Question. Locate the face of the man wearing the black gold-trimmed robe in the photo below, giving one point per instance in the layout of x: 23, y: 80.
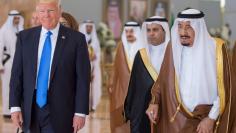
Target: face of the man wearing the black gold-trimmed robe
x: 155, y: 34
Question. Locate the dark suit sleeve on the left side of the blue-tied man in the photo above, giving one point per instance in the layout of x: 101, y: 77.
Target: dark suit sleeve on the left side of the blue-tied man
x: 16, y: 82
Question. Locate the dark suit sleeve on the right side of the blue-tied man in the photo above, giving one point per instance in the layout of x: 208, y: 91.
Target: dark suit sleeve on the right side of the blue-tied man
x: 83, y: 75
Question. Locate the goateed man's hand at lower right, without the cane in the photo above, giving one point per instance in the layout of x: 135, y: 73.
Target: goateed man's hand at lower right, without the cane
x: 206, y: 126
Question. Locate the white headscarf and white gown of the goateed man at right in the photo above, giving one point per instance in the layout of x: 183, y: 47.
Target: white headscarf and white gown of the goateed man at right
x: 198, y: 61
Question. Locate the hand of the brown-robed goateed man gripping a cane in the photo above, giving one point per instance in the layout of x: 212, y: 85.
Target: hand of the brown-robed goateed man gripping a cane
x: 152, y: 112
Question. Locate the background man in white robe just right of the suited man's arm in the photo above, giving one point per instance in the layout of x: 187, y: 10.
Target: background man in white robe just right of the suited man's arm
x: 88, y: 28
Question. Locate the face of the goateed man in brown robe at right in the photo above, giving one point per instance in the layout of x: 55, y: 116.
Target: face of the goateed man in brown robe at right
x: 186, y: 33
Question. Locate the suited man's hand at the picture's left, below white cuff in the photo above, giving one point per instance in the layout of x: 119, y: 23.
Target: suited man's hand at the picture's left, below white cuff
x: 17, y: 119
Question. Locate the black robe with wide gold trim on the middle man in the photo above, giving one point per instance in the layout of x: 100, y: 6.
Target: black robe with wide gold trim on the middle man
x: 142, y: 78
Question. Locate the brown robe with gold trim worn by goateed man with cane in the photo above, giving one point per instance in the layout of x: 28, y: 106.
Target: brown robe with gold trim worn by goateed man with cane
x: 172, y: 117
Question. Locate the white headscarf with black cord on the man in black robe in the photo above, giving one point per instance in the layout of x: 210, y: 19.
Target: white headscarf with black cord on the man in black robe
x: 156, y: 53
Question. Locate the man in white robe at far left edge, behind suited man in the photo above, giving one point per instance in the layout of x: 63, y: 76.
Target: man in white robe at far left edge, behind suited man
x: 8, y: 35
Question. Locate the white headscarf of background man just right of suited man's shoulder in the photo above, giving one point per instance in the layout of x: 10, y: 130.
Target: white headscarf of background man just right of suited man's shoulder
x: 93, y: 35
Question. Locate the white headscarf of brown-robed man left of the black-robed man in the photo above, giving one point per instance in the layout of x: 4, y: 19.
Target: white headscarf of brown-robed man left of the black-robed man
x: 132, y: 49
